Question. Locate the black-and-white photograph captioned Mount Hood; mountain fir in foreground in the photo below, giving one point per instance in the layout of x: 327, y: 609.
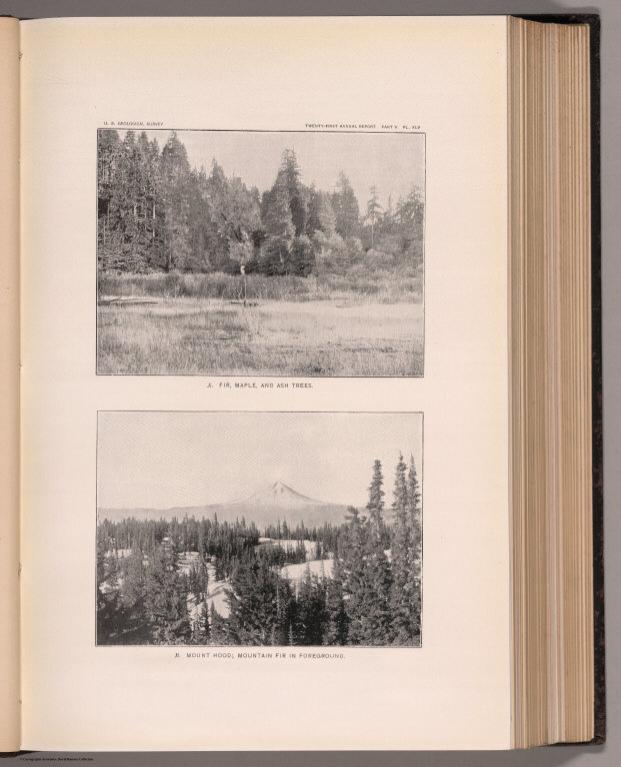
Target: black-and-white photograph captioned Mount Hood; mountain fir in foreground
x: 259, y: 529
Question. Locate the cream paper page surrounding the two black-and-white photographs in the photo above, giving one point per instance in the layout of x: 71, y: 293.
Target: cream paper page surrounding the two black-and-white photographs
x: 446, y: 75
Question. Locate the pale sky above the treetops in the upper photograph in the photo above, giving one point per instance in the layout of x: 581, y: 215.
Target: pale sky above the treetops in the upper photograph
x: 393, y: 162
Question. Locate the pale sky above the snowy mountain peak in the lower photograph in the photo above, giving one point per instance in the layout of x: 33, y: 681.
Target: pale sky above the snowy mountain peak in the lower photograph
x: 164, y: 459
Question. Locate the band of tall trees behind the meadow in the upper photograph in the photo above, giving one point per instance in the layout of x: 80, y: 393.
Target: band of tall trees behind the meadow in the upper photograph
x: 157, y: 213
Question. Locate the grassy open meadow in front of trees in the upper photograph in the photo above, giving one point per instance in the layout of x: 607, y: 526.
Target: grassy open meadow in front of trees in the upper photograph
x: 316, y: 332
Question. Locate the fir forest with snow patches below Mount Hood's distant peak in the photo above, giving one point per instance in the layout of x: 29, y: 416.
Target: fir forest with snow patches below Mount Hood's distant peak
x: 204, y: 581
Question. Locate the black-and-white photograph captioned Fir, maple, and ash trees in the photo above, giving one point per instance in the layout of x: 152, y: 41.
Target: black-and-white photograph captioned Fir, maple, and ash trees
x: 260, y: 253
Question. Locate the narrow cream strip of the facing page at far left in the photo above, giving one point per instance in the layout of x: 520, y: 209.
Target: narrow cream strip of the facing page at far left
x: 9, y: 386
